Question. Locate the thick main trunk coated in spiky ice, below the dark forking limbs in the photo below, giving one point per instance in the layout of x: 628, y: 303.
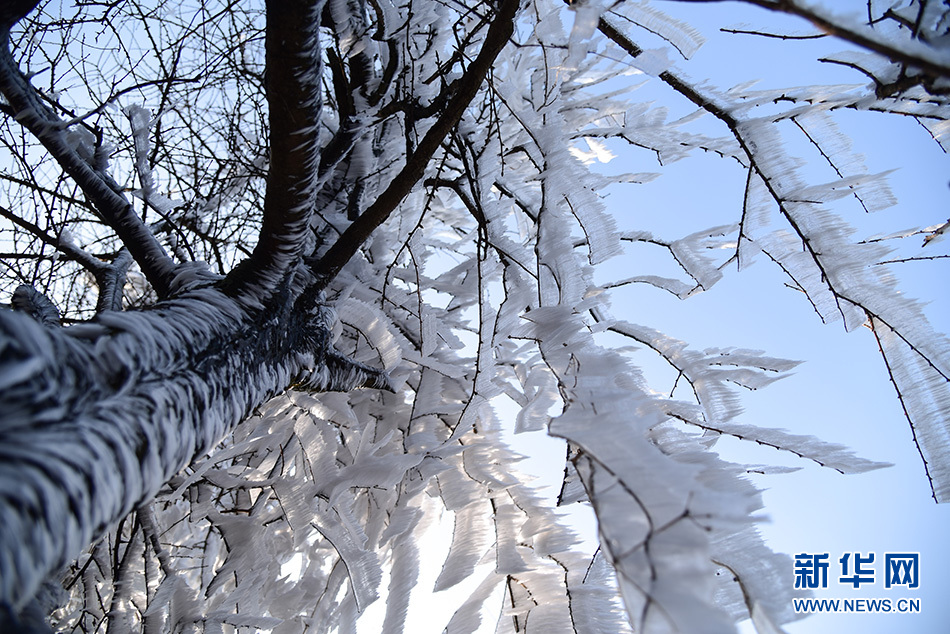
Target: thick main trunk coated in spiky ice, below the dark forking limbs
x: 94, y: 419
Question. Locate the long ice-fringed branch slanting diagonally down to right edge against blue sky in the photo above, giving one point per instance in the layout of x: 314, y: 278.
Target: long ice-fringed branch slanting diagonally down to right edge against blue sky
x: 835, y: 274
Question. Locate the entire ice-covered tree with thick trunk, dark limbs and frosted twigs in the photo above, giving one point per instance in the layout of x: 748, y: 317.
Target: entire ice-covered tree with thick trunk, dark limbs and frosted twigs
x: 243, y: 209
